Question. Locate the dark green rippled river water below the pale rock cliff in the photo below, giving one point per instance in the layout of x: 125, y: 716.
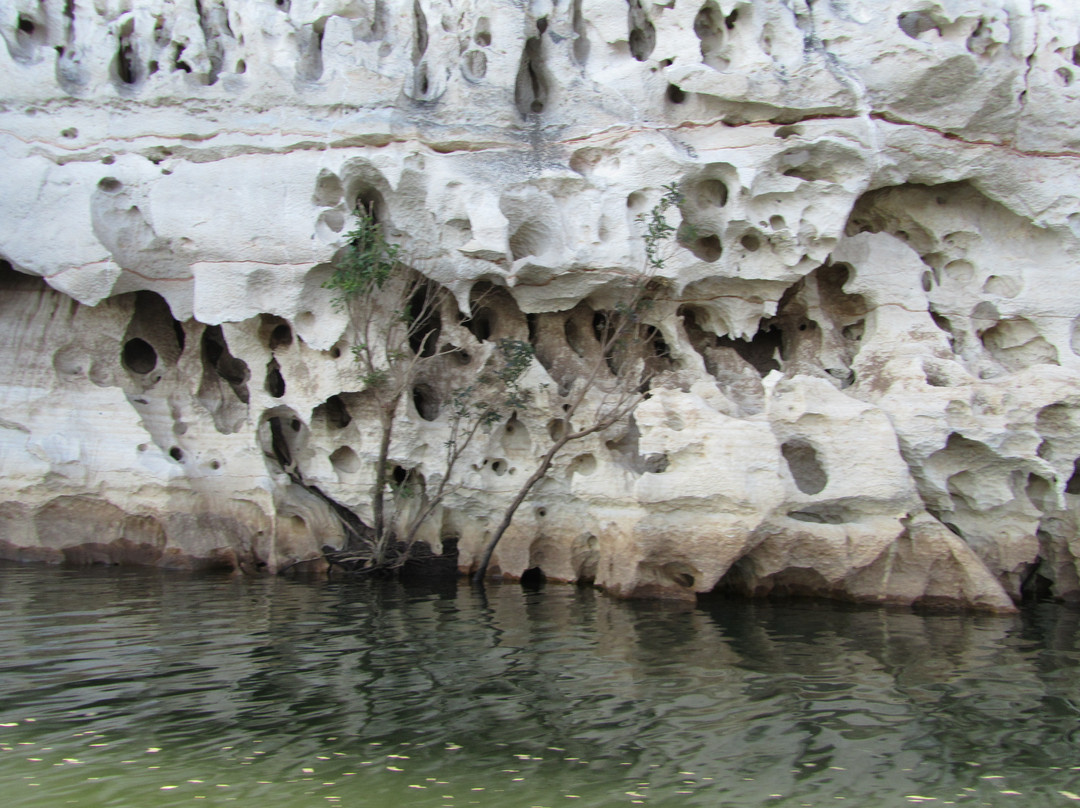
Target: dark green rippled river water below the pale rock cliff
x: 140, y: 689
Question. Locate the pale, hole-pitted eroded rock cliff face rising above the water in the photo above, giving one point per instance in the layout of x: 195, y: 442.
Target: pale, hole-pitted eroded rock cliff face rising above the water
x: 867, y: 341
